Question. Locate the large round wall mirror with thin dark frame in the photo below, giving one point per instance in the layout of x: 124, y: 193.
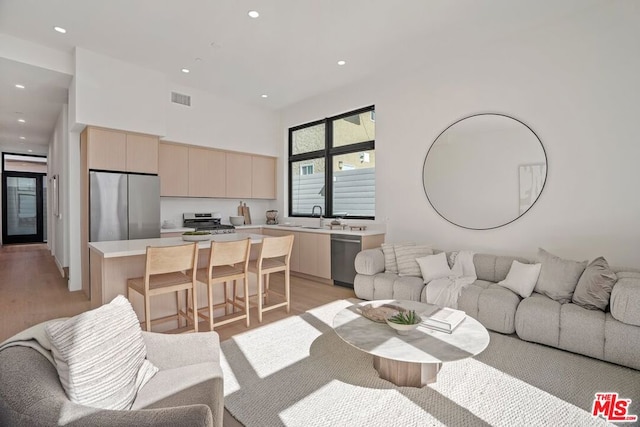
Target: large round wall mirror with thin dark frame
x: 484, y: 171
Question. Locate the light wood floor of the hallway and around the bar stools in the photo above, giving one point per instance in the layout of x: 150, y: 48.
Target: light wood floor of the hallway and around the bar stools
x: 32, y: 291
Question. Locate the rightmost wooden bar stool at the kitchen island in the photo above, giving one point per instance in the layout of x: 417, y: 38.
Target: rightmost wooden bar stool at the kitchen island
x: 275, y: 255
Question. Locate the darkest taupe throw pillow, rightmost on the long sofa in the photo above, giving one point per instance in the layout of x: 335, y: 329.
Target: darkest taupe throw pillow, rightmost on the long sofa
x: 595, y: 285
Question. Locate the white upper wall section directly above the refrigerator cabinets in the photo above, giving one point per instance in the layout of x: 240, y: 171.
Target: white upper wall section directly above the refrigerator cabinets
x: 115, y: 94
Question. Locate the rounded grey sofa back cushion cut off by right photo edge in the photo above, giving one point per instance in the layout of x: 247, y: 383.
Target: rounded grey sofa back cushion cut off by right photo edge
x: 625, y: 298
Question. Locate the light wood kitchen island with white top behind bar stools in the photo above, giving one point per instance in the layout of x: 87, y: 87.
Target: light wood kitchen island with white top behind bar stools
x: 112, y: 263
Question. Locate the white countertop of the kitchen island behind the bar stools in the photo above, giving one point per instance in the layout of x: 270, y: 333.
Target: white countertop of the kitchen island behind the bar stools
x: 124, y: 248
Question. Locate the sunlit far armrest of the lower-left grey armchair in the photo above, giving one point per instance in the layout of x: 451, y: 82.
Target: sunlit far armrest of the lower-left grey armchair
x: 173, y: 351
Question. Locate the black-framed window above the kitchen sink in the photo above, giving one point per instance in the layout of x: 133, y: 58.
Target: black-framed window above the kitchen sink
x: 332, y: 164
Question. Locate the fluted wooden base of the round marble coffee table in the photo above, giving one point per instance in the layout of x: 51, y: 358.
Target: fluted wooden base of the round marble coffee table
x: 406, y: 374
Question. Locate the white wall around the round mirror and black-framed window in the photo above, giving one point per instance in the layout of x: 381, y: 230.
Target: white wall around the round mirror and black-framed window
x: 574, y: 84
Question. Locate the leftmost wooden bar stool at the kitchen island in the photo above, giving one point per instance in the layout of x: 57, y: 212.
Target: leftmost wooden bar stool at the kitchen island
x: 164, y: 274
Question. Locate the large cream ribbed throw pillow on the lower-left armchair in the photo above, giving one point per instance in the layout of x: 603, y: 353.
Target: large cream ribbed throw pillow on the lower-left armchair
x: 100, y: 356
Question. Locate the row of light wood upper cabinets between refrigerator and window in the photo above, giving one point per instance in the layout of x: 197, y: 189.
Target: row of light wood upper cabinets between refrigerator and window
x: 189, y: 171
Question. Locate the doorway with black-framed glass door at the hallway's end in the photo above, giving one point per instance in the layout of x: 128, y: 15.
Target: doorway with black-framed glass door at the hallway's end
x: 23, y: 198
